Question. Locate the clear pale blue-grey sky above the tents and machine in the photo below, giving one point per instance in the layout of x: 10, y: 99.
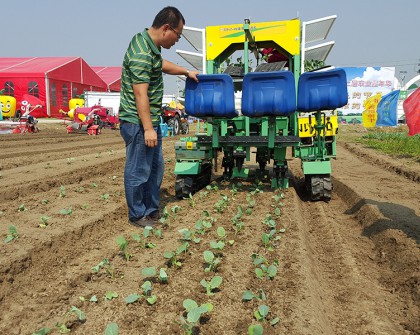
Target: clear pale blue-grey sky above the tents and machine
x: 366, y: 32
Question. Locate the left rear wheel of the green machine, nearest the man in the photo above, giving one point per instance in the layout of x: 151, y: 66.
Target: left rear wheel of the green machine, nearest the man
x: 190, y: 184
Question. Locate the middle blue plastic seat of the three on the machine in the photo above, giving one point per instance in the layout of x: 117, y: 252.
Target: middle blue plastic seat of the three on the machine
x: 268, y: 94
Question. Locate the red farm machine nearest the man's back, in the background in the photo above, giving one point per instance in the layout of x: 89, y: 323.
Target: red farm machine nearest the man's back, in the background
x: 91, y: 120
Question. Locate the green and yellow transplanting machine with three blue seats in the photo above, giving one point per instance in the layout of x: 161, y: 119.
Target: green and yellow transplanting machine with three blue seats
x: 281, y: 108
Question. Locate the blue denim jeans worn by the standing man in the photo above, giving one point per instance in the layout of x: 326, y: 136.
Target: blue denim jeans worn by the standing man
x: 143, y: 171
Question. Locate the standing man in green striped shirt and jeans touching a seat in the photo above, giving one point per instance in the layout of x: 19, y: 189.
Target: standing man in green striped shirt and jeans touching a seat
x: 140, y: 106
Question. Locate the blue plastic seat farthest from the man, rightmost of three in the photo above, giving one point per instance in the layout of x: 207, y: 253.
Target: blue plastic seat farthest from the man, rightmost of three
x: 324, y: 90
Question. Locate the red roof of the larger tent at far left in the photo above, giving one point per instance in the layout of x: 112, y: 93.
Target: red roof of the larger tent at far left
x: 73, y: 69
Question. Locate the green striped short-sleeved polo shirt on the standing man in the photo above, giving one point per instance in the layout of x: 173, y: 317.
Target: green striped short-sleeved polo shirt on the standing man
x: 142, y: 64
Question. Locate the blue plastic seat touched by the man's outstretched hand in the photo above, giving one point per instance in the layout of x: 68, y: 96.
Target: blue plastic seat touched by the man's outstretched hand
x: 213, y: 95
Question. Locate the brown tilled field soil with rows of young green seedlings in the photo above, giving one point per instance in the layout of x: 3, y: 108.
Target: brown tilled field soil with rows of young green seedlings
x: 350, y: 266
